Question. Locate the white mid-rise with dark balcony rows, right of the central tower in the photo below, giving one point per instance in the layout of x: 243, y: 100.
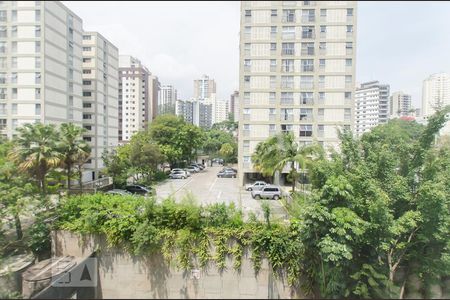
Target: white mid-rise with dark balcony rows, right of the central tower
x: 372, y: 106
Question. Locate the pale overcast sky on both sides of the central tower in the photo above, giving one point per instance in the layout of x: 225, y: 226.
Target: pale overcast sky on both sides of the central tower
x: 399, y: 43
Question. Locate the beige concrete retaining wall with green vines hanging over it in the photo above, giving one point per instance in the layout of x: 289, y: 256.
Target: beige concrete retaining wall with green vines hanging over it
x: 122, y: 275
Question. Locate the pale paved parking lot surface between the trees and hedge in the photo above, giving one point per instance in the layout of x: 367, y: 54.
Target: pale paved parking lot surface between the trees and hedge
x: 206, y: 188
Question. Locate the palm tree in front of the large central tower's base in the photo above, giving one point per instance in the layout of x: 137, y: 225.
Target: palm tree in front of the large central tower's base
x: 280, y: 151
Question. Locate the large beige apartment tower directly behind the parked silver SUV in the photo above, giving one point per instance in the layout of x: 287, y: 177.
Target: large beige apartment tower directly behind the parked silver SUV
x: 297, y: 72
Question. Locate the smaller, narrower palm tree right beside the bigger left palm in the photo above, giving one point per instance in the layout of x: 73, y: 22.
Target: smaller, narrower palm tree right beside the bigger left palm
x: 72, y: 147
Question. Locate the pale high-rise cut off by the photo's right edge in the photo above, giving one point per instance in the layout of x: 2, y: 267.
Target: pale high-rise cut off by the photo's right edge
x: 435, y: 93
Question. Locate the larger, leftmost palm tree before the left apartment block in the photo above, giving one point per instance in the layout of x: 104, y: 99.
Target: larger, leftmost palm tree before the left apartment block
x: 36, y: 151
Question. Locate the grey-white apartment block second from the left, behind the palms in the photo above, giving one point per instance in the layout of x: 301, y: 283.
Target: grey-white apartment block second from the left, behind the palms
x: 100, y: 98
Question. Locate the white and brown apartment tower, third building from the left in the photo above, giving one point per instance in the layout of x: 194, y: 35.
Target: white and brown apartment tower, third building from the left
x: 134, y: 97
